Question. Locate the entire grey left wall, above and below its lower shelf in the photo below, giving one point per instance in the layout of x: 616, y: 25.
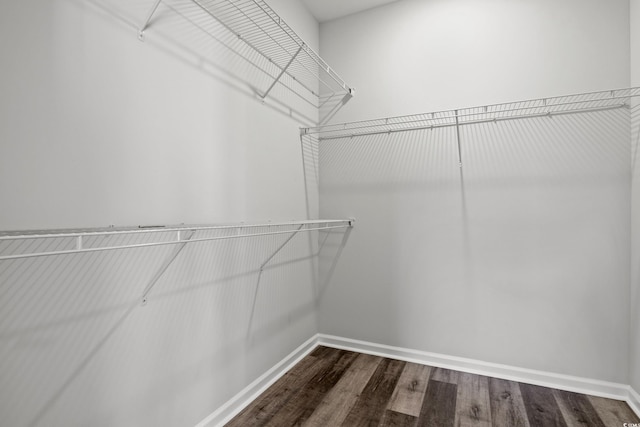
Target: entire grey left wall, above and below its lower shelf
x: 97, y: 128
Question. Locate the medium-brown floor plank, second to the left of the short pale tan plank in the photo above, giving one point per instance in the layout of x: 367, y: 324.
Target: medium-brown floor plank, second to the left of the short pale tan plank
x: 336, y: 405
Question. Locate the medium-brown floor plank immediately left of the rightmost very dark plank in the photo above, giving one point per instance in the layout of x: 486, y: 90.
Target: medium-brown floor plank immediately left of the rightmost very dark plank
x: 507, y: 406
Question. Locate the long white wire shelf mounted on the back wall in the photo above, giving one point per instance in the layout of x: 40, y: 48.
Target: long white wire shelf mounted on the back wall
x: 568, y: 104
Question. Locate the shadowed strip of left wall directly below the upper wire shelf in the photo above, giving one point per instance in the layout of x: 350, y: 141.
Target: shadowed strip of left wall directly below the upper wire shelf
x: 180, y: 29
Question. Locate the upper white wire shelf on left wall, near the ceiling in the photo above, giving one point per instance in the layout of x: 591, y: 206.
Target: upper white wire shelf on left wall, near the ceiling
x: 284, y: 55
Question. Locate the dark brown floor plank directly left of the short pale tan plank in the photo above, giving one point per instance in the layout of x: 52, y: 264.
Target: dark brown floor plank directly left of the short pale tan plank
x: 370, y: 405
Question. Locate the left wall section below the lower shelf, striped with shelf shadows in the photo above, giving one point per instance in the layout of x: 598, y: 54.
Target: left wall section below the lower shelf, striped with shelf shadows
x: 80, y: 348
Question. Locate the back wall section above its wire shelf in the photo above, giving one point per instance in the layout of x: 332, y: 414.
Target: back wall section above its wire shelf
x: 415, y: 56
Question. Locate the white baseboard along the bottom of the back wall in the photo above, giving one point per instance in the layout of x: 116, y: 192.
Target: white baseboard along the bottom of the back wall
x: 563, y: 382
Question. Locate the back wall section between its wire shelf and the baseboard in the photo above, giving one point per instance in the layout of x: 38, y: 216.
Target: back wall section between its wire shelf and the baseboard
x: 537, y: 214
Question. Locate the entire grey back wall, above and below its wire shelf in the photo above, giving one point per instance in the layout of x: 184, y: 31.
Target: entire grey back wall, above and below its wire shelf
x: 522, y: 256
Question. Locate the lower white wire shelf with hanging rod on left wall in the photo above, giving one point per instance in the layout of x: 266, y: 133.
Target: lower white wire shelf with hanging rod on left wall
x: 29, y: 244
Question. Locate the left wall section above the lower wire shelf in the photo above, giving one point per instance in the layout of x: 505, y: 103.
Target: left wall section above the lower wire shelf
x: 58, y: 118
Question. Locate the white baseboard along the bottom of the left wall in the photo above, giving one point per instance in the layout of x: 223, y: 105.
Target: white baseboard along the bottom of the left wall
x: 231, y: 408
